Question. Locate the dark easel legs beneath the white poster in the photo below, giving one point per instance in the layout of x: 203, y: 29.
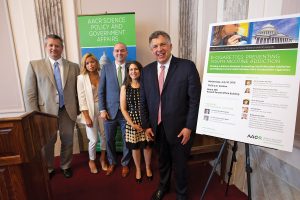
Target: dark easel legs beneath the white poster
x: 233, y: 159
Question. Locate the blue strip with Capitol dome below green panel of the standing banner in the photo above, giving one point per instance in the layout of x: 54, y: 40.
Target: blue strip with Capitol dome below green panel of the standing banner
x: 98, y: 52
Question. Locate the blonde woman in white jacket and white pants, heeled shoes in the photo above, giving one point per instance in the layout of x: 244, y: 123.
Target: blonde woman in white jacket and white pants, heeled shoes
x: 87, y: 88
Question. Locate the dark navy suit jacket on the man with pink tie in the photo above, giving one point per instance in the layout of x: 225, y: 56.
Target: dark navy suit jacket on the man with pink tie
x: 179, y: 100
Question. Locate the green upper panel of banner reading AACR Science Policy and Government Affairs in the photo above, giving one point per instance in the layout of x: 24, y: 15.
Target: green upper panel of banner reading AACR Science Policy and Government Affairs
x: 107, y: 29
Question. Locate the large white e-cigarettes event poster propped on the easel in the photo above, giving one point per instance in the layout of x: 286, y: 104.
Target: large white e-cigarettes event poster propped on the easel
x: 251, y: 82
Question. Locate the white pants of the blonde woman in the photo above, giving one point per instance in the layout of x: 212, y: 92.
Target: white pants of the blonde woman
x: 92, y: 134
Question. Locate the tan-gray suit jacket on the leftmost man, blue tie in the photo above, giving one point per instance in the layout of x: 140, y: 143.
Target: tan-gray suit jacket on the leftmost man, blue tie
x: 40, y: 91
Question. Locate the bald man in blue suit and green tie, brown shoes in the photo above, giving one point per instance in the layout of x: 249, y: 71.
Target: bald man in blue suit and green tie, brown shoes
x: 111, y: 79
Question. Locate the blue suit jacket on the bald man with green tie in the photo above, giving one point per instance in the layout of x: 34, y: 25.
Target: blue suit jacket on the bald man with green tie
x: 109, y: 90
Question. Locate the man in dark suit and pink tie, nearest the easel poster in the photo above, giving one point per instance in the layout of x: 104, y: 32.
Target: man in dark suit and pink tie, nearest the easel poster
x: 170, y: 95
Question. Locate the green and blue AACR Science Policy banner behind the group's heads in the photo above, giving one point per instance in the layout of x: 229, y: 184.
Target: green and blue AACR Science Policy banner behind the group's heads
x: 99, y: 33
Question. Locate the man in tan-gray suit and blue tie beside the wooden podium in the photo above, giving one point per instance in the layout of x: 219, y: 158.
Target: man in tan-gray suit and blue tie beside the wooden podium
x: 50, y: 87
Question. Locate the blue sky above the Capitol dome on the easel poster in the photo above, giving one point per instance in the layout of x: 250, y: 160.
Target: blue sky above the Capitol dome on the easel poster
x: 288, y: 26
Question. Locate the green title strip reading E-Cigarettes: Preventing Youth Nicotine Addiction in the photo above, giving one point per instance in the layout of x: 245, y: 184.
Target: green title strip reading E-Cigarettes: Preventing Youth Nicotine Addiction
x: 274, y: 62
